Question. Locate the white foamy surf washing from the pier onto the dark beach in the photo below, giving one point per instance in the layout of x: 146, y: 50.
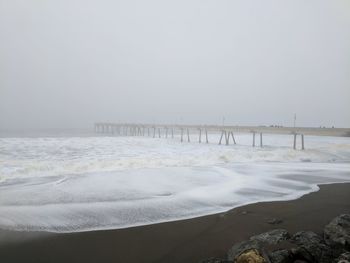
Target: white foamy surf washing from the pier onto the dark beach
x: 80, y: 184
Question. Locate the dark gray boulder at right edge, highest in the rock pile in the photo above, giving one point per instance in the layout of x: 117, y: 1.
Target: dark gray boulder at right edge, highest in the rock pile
x: 337, y: 232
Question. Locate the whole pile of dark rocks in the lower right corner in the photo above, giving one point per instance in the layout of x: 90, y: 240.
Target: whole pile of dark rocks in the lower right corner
x: 303, y: 246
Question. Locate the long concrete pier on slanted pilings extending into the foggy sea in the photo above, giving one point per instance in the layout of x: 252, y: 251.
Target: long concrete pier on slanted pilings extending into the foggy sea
x: 227, y: 132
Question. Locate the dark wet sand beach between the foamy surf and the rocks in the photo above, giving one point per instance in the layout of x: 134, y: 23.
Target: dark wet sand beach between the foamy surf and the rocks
x: 181, y: 241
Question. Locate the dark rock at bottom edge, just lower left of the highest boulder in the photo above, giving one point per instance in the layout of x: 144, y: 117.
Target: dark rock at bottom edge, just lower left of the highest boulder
x: 311, y: 247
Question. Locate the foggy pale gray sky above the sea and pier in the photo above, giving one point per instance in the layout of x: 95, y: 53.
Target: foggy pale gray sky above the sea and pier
x: 68, y: 63
